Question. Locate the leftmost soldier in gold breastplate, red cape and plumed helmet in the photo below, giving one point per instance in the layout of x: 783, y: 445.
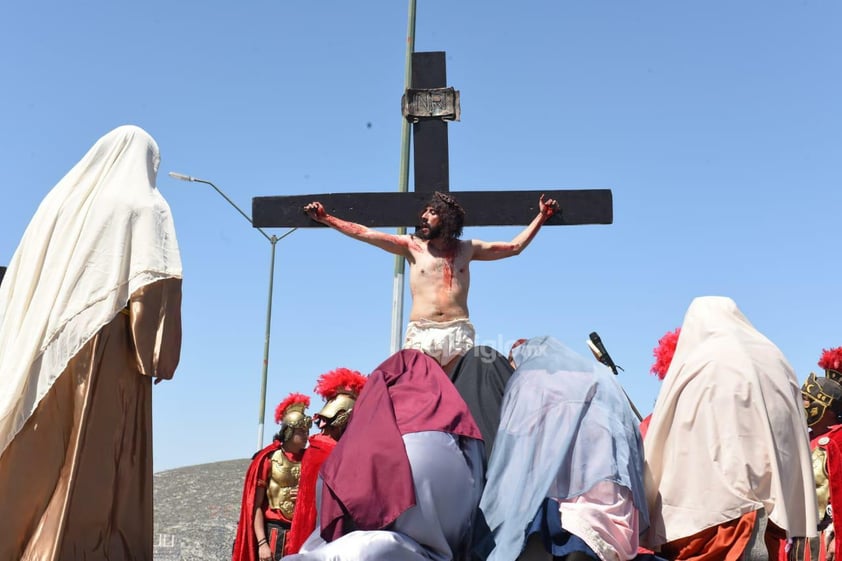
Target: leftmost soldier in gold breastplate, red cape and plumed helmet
x: 271, y: 485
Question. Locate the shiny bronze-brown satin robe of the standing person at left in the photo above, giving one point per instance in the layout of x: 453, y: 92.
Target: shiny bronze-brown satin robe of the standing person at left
x: 76, y: 481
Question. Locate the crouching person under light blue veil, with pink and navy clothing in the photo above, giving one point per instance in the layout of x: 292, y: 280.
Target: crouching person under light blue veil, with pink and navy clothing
x: 565, y: 479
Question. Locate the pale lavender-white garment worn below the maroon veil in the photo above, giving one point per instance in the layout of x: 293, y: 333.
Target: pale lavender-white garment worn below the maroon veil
x: 447, y: 476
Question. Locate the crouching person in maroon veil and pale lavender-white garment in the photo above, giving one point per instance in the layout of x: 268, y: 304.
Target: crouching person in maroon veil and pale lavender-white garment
x: 404, y: 481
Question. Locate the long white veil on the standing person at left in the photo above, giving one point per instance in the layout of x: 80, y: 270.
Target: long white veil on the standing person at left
x: 99, y: 235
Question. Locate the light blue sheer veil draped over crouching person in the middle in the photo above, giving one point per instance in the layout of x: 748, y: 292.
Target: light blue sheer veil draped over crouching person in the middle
x: 565, y: 425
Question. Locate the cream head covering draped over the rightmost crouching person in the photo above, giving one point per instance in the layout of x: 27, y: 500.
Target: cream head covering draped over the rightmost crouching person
x: 728, y: 434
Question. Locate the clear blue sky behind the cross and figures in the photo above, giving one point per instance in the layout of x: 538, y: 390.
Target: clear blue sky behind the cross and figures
x: 717, y: 125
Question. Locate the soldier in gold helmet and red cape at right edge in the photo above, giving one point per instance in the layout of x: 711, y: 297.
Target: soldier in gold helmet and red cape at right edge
x: 823, y: 405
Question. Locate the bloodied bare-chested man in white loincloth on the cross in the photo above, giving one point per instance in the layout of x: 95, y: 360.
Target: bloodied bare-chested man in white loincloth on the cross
x: 439, y: 277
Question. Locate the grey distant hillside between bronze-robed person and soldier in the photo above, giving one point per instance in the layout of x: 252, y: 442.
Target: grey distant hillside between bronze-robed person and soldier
x: 196, y: 511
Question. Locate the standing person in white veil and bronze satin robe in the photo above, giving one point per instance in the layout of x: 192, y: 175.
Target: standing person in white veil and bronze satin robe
x: 89, y: 314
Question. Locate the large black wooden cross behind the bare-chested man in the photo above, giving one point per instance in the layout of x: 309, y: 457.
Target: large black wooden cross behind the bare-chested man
x: 430, y: 155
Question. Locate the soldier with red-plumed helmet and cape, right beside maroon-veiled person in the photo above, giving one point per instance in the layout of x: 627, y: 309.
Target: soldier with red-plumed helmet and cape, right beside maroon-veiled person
x: 340, y: 389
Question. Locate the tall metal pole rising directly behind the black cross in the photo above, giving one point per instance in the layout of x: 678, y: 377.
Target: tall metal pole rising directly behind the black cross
x: 403, y: 187
